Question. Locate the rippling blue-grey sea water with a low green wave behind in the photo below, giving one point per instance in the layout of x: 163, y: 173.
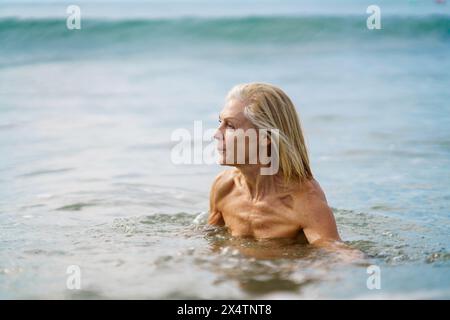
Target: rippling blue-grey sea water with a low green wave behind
x: 87, y: 178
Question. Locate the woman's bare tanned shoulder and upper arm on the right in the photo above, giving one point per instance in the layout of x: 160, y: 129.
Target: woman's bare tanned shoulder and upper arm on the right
x: 314, y: 214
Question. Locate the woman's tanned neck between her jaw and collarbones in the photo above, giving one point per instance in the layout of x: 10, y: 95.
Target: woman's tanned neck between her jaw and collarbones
x: 257, y: 184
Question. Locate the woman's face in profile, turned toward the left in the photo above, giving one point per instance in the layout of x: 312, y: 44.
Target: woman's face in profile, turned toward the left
x: 239, y: 142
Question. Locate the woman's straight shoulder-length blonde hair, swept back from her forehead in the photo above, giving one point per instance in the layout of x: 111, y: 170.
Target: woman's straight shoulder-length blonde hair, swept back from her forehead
x: 268, y: 107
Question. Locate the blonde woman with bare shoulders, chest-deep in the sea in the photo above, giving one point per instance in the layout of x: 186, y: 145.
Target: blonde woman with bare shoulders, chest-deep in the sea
x: 286, y: 204
